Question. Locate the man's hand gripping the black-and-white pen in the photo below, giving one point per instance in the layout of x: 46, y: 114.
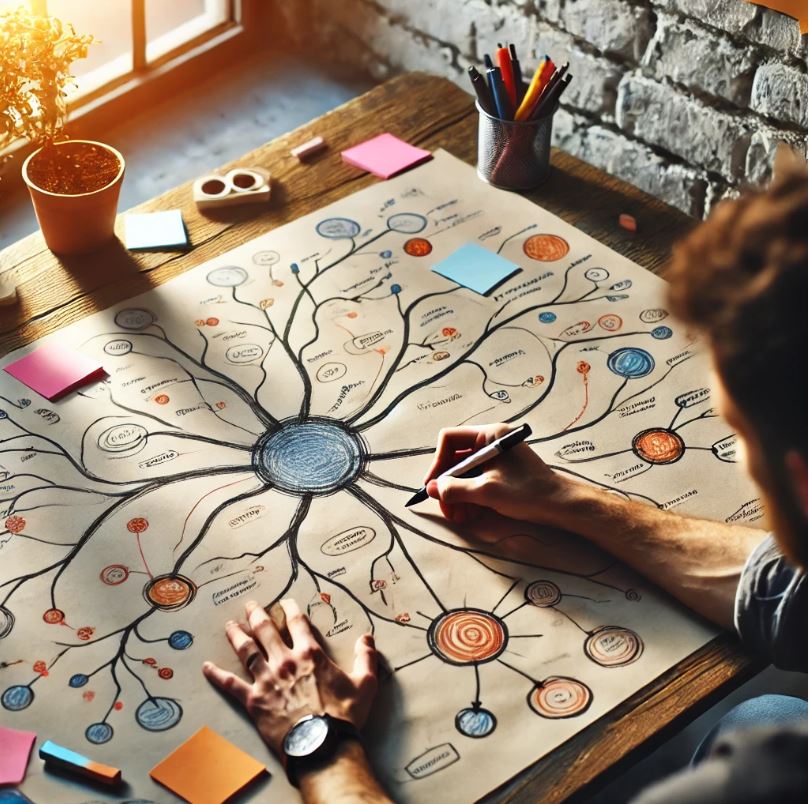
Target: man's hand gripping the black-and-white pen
x: 517, y: 484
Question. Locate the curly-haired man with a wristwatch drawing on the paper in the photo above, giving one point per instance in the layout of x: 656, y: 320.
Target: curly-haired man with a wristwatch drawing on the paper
x: 741, y: 280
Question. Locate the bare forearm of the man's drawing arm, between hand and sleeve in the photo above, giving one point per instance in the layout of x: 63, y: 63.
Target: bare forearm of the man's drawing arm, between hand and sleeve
x: 697, y: 561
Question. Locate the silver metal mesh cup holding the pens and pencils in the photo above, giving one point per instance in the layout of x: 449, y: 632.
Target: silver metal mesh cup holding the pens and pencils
x: 512, y: 154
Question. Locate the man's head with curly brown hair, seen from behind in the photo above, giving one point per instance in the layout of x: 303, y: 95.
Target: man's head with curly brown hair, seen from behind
x: 740, y: 278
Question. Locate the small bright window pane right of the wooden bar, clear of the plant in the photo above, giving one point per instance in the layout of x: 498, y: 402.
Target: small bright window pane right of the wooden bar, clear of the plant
x: 170, y: 24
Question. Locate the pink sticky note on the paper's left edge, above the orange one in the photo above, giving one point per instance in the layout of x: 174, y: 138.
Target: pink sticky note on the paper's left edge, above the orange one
x: 53, y: 370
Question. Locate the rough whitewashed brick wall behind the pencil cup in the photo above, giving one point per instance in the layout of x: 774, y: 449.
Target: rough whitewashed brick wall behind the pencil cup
x: 687, y: 99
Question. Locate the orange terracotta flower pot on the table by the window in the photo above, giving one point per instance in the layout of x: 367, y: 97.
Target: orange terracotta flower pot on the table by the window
x: 81, y: 222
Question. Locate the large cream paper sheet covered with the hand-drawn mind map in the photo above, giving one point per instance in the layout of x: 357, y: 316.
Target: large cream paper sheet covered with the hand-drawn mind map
x: 264, y: 419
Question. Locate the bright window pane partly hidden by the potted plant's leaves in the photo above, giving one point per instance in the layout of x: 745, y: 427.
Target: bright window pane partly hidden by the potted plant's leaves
x: 109, y: 21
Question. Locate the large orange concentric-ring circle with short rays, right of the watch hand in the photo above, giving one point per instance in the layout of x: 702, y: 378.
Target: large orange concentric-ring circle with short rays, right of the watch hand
x: 467, y: 636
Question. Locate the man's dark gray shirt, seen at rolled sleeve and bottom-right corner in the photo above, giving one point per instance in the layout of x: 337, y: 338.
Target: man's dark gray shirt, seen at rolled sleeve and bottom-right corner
x: 764, y: 764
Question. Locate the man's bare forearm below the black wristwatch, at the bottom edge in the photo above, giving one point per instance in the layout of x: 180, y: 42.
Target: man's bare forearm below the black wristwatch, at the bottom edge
x: 348, y: 778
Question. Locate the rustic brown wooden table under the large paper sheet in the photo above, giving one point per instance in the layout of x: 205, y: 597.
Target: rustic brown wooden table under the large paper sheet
x: 430, y: 112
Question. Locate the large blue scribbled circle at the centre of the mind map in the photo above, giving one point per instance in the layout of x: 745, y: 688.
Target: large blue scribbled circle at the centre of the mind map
x: 317, y: 456
